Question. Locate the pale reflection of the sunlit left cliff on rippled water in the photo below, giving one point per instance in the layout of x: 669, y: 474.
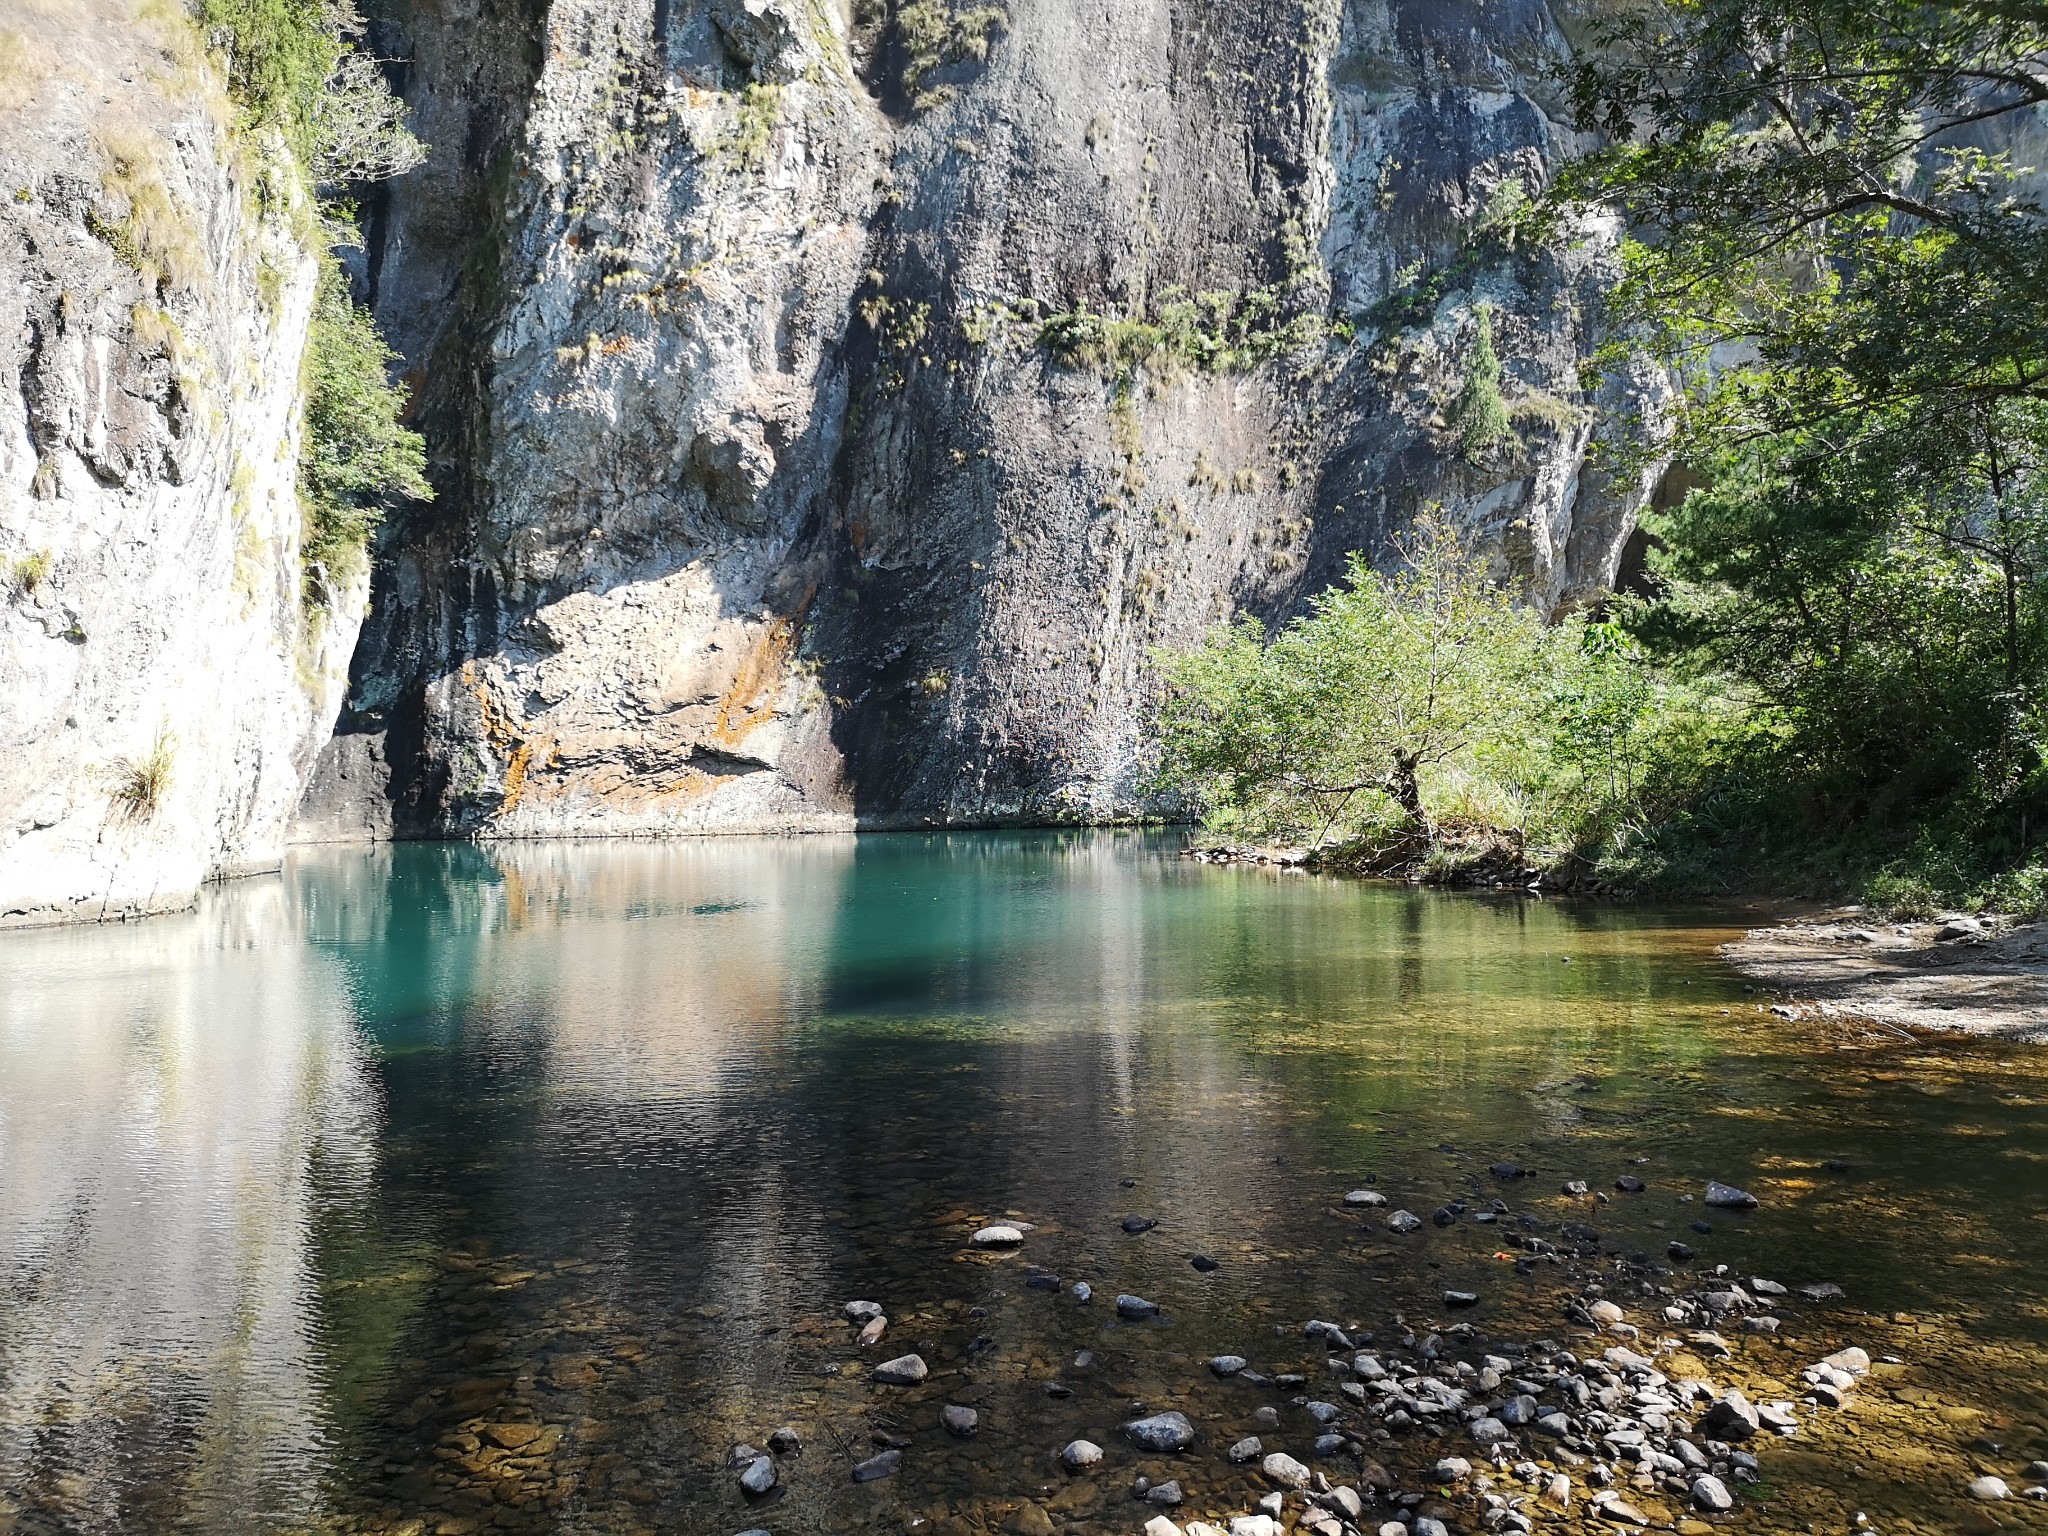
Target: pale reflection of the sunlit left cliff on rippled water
x: 177, y: 1105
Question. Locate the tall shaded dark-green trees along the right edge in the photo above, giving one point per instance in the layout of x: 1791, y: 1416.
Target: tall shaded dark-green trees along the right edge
x: 1836, y: 253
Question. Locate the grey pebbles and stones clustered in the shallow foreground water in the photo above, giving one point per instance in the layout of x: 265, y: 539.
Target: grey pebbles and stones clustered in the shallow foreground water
x: 1641, y: 1414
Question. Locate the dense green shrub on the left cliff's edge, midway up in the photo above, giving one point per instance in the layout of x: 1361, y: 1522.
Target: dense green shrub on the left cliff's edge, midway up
x: 357, y: 452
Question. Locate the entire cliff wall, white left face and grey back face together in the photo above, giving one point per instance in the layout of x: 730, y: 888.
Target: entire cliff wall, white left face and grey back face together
x: 830, y: 411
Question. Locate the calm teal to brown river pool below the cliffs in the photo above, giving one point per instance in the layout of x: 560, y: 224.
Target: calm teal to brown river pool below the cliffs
x: 312, y: 1193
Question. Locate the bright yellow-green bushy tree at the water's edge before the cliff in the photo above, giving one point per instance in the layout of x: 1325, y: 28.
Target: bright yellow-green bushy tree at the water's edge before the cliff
x: 1404, y: 701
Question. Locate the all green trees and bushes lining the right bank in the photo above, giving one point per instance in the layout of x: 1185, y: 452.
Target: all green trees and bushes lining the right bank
x: 1836, y: 679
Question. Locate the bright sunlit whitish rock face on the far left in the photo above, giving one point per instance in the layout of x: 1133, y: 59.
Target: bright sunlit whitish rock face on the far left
x: 163, y: 685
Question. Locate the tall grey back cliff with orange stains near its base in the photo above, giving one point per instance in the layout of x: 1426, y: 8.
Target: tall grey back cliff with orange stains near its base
x: 771, y: 499
